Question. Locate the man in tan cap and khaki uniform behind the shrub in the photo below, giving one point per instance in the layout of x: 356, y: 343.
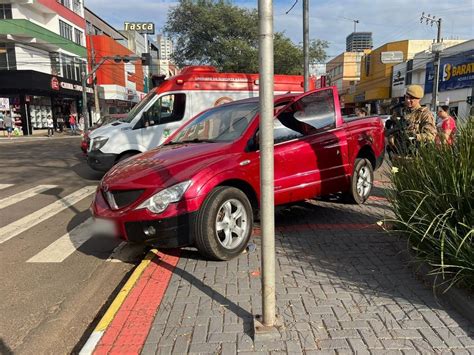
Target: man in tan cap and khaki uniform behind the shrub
x: 415, y: 127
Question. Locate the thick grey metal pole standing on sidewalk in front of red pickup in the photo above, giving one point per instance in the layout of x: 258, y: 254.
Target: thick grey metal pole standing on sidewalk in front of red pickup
x: 266, y: 70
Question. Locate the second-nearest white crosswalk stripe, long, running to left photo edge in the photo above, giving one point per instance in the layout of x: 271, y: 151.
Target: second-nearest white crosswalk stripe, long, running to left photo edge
x: 13, y: 229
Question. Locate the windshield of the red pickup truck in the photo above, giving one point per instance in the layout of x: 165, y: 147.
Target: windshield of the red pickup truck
x: 220, y: 124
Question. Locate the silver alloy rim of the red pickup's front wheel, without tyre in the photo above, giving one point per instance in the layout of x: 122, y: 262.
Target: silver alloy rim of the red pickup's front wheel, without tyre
x: 231, y: 224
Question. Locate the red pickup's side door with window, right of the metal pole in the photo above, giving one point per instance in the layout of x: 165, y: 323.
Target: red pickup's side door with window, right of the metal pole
x: 306, y: 134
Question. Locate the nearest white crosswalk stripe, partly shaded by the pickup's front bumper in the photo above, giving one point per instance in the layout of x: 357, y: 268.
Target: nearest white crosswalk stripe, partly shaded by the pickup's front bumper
x: 58, y: 251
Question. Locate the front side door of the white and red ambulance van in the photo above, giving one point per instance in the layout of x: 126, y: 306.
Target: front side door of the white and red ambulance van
x: 162, y: 118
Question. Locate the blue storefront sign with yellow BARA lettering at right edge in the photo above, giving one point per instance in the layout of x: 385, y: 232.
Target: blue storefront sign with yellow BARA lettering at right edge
x: 456, y: 72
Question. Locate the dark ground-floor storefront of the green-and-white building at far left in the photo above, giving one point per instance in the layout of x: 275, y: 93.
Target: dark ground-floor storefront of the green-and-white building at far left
x: 33, y: 96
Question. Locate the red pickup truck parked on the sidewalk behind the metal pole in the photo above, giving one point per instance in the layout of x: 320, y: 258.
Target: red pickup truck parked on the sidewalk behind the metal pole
x: 202, y: 187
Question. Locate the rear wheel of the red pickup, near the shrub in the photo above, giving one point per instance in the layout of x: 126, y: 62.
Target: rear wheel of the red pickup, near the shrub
x: 361, y: 181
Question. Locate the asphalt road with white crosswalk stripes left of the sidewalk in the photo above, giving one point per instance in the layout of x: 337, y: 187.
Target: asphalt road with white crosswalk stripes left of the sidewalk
x: 57, y: 277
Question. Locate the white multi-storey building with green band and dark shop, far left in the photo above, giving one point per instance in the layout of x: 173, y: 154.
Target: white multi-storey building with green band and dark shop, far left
x: 42, y: 57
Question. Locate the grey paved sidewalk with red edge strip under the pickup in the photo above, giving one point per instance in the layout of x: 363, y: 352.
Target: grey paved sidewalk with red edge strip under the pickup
x: 342, y: 287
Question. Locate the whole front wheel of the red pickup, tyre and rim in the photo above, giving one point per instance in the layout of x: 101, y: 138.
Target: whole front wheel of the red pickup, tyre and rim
x: 223, y: 224
